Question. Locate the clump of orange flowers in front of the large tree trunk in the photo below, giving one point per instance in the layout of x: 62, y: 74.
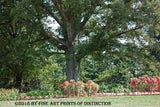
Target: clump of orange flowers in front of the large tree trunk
x: 79, y: 88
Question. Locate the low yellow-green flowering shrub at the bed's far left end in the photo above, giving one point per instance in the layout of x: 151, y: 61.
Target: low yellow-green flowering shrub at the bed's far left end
x: 9, y: 94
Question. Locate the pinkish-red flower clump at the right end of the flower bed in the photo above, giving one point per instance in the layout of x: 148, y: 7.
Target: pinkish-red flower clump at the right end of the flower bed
x: 146, y: 84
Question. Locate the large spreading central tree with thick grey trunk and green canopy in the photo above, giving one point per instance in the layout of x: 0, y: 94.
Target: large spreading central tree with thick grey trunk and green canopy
x: 87, y: 26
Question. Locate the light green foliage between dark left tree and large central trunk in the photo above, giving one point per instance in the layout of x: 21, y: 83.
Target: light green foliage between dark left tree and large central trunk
x: 52, y: 74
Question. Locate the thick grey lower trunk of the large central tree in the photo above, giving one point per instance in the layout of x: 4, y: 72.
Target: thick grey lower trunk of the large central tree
x: 73, y: 67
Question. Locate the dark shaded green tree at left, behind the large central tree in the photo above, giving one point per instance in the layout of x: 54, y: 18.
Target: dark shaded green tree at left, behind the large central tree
x: 21, y: 47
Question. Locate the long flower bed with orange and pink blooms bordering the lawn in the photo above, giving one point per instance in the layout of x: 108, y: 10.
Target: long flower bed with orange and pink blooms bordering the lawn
x: 139, y: 86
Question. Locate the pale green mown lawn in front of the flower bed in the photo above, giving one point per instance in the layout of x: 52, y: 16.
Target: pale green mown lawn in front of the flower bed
x: 116, y: 101
